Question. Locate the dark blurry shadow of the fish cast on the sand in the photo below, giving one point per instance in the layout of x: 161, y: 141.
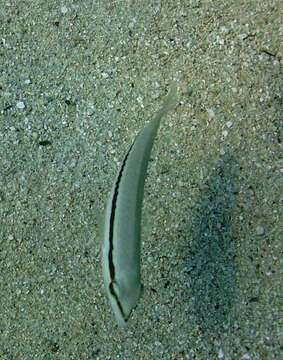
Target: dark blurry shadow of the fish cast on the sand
x: 211, y: 268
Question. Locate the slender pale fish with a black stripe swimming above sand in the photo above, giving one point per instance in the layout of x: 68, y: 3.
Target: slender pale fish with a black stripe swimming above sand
x: 122, y: 224
